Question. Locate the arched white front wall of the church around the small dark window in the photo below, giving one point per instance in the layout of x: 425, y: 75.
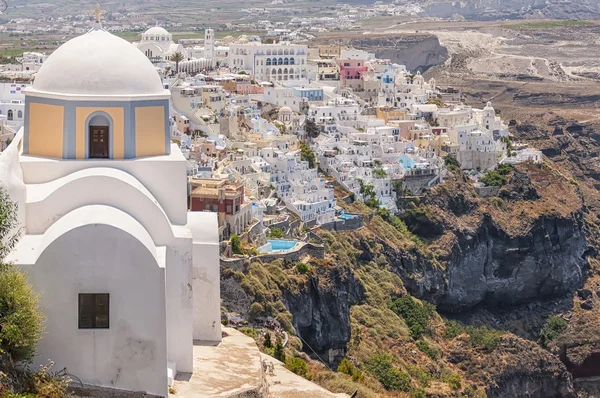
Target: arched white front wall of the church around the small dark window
x: 97, y: 249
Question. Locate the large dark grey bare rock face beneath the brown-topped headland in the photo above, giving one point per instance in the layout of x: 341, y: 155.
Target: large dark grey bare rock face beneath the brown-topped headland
x: 488, y: 266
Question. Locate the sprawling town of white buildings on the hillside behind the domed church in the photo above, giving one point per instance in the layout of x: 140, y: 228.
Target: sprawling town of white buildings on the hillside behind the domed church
x: 269, y: 126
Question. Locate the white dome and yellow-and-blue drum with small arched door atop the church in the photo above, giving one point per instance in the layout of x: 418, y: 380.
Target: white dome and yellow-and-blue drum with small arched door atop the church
x: 118, y: 112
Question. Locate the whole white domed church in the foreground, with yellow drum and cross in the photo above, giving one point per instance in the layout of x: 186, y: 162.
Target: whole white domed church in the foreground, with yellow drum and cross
x: 128, y: 278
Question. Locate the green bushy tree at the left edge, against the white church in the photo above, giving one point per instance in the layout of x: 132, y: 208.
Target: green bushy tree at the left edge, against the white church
x: 21, y: 322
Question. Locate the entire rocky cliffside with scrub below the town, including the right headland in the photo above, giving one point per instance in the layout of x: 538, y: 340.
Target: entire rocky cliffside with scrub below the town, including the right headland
x: 455, y: 250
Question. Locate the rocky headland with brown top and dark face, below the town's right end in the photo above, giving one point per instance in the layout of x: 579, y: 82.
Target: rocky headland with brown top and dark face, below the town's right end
x: 502, y: 251
